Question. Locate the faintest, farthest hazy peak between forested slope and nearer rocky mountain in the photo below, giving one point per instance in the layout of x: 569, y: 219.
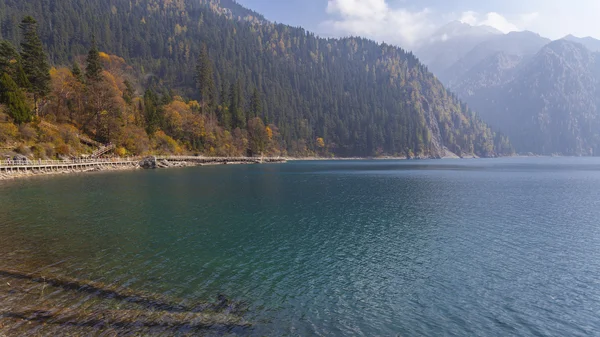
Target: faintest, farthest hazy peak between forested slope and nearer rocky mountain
x: 451, y: 43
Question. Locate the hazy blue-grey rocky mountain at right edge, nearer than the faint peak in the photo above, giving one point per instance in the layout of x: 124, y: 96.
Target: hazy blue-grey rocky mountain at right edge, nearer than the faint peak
x: 549, y: 104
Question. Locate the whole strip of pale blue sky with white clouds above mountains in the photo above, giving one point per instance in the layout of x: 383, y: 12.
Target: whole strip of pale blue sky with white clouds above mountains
x: 406, y: 22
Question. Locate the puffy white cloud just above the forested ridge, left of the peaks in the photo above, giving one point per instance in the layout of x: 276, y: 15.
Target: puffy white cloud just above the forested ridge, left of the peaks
x: 377, y: 20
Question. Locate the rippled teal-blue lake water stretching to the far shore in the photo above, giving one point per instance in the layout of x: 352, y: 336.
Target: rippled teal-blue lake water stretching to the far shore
x: 503, y: 247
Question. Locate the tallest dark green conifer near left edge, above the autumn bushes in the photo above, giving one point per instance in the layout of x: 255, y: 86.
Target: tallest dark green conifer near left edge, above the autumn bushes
x: 34, y: 60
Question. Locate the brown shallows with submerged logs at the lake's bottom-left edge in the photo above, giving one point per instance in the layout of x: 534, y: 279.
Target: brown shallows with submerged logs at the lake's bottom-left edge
x: 155, y: 311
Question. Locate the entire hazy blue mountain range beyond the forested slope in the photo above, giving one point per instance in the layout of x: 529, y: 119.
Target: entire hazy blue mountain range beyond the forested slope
x: 543, y: 94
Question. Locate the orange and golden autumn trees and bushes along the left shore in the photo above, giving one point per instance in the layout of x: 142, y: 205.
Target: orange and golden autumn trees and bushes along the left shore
x: 113, y: 108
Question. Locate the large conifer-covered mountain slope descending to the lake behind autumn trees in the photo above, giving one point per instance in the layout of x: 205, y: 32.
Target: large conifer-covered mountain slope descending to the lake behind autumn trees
x: 348, y: 97
